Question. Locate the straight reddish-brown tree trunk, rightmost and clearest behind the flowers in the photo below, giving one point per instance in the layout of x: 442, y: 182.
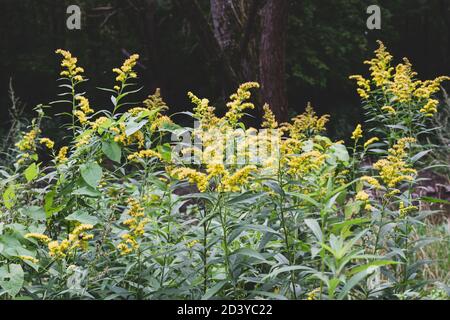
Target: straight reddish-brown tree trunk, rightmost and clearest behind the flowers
x: 272, y: 59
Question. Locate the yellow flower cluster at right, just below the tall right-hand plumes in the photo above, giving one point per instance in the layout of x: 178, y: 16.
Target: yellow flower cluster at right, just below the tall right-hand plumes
x: 393, y: 169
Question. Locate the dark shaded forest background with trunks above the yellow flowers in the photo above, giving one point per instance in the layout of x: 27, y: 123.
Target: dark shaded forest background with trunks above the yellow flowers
x: 300, y: 50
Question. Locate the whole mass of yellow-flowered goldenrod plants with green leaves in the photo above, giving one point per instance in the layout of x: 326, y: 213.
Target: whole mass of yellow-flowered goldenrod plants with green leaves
x: 127, y: 210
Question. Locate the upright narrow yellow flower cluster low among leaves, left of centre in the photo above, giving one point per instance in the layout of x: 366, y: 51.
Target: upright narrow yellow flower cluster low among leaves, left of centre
x: 136, y: 224
